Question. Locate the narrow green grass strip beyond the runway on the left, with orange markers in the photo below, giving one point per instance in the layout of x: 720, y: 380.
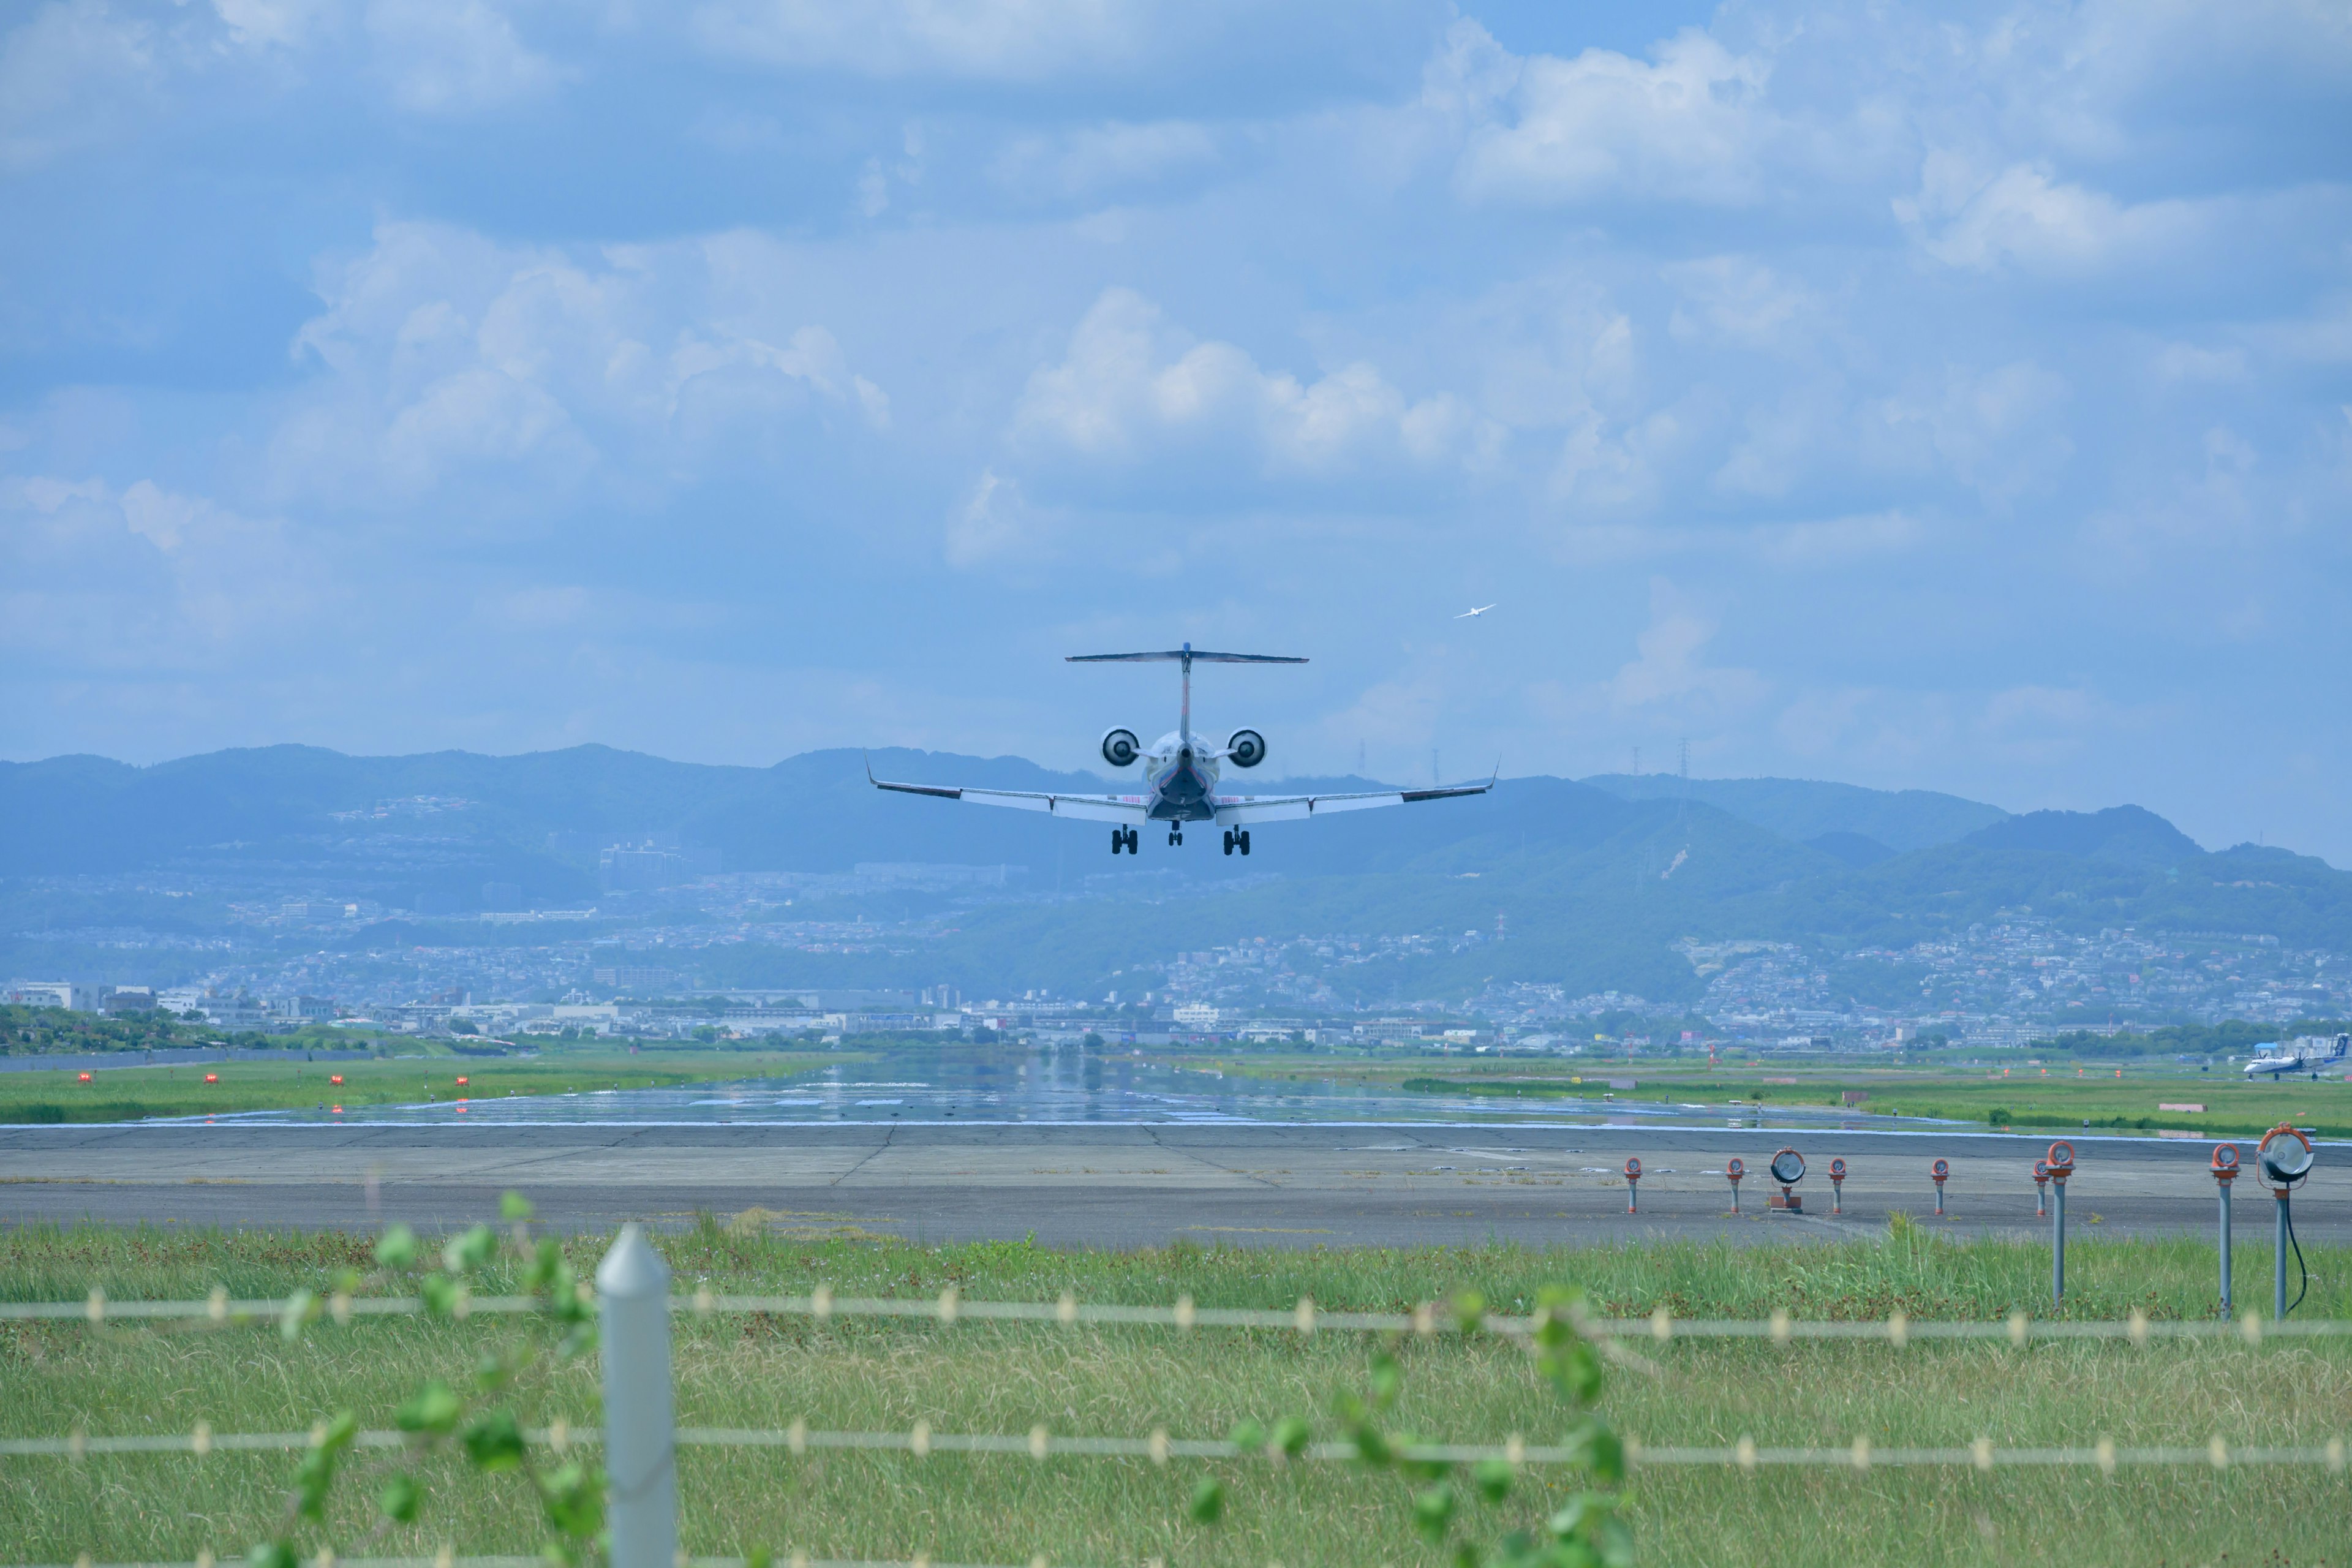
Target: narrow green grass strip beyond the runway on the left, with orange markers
x: 128, y: 1094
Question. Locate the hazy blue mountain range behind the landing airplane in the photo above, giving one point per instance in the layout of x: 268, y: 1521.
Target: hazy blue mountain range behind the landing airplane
x: 1598, y: 883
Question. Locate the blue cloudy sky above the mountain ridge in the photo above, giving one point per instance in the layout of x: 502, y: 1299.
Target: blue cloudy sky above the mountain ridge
x: 1951, y: 398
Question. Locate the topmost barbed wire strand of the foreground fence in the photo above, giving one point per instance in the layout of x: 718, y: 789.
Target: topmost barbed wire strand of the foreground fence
x: 1302, y: 1318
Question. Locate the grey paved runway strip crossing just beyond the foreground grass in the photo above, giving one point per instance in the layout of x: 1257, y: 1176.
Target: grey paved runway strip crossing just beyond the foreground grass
x: 1125, y: 1184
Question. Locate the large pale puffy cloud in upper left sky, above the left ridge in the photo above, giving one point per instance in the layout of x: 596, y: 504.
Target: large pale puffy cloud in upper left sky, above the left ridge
x: 448, y: 351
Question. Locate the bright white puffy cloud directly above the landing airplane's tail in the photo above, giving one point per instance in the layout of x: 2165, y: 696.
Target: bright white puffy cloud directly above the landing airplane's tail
x: 1135, y: 389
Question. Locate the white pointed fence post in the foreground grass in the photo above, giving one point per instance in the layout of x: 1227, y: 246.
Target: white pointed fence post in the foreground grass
x: 641, y: 1433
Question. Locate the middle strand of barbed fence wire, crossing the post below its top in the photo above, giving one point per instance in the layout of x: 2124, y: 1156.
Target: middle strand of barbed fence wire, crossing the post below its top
x: 1043, y: 1445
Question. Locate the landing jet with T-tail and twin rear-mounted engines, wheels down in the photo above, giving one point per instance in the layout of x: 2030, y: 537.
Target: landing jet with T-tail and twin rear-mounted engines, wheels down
x: 1180, y: 775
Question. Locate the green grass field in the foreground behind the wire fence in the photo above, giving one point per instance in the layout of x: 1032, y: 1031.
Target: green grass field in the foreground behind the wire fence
x: 761, y: 1372
